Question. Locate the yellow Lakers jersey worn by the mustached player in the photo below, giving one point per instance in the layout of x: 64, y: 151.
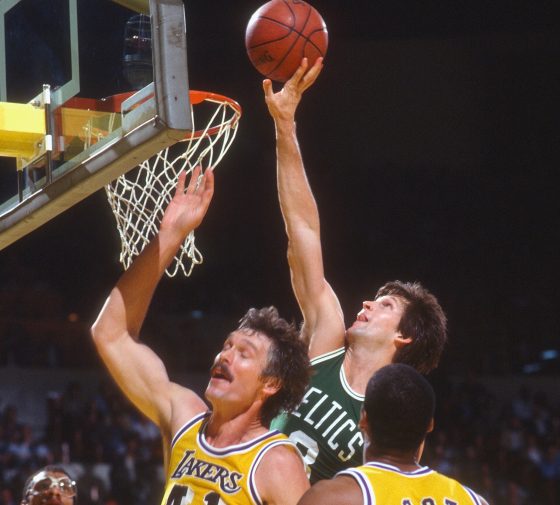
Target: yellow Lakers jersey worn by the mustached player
x: 199, y: 474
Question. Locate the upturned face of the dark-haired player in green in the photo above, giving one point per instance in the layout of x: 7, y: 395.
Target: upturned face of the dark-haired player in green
x: 379, y: 319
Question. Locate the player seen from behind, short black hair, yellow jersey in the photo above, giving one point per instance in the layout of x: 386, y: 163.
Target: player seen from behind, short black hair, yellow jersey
x: 397, y: 415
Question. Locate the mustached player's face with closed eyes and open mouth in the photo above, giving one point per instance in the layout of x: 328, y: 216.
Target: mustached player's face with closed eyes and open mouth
x: 235, y: 376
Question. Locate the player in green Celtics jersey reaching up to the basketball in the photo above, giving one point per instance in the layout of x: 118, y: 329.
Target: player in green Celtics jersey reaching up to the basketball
x: 403, y: 322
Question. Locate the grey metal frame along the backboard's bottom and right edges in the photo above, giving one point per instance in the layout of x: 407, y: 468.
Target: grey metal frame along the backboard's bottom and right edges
x: 169, y: 110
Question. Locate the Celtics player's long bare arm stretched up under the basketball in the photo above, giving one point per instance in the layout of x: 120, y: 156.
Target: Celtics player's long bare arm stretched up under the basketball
x: 323, y: 319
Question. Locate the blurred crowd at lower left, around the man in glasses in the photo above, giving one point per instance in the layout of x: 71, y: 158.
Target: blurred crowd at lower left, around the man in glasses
x: 113, y: 453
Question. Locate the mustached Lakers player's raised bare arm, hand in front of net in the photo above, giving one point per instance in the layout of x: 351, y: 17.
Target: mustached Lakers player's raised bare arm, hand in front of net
x: 137, y: 369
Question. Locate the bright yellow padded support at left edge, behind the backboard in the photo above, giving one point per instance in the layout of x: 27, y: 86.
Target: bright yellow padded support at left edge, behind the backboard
x: 21, y: 127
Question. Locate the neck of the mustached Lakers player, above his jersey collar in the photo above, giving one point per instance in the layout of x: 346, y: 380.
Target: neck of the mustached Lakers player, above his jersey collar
x: 224, y: 431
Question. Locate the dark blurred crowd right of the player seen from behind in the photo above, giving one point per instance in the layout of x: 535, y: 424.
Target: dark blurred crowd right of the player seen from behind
x: 509, y: 452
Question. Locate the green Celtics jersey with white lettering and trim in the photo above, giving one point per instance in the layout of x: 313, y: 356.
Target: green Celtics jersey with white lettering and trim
x: 325, y: 425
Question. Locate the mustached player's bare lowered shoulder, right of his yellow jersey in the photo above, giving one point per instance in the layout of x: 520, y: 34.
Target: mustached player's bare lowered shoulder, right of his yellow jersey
x: 279, y: 464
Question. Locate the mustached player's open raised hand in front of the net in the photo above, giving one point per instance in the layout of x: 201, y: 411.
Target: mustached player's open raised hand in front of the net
x: 188, y: 207
